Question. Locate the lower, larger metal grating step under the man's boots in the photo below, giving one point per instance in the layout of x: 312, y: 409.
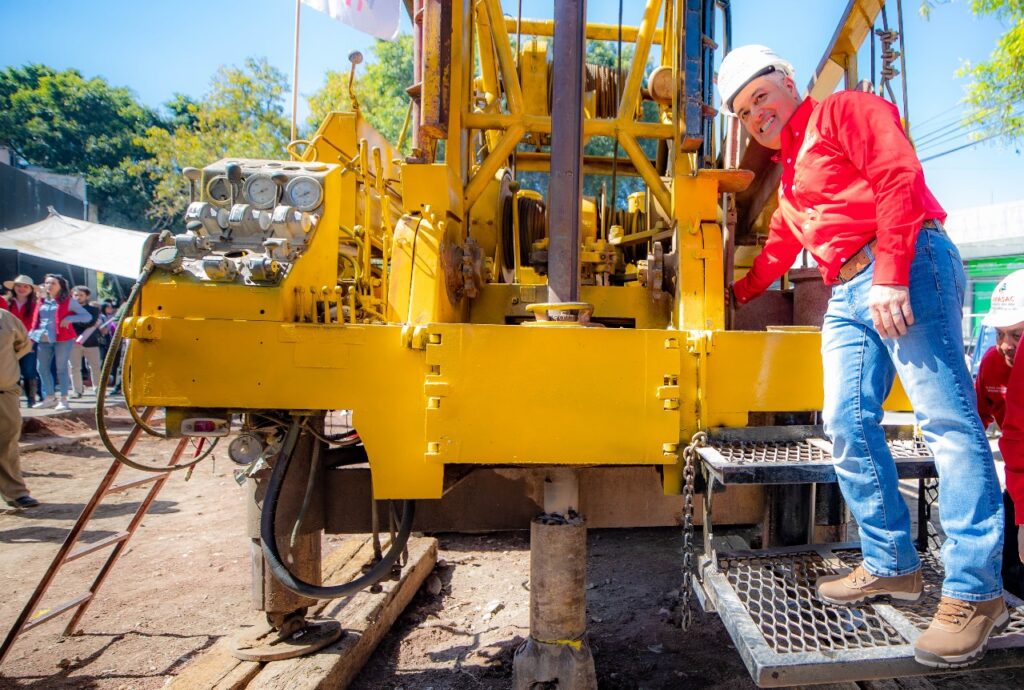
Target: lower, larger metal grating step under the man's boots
x: 787, y: 637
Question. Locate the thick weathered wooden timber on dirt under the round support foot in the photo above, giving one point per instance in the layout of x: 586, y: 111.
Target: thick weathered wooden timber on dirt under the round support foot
x: 366, y: 619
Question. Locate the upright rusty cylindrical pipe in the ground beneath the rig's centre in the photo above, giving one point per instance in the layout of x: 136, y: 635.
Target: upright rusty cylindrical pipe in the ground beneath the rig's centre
x: 557, y: 656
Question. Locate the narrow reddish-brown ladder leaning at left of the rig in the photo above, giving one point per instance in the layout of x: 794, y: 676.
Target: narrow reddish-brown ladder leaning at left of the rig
x: 29, y: 619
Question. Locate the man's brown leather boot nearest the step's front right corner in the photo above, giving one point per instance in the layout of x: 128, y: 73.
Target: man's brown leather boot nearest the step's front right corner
x: 960, y: 631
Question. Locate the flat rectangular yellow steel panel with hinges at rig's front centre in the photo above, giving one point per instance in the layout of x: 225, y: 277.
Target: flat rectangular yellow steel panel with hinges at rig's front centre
x: 558, y: 418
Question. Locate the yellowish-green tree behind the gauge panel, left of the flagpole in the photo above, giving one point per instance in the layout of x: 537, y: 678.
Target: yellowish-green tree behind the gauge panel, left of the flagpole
x: 243, y: 116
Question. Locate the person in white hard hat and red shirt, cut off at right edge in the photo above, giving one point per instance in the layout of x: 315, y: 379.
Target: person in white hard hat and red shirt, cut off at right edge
x: 998, y: 404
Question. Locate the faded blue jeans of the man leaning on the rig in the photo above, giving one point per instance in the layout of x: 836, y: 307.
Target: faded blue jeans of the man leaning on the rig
x: 860, y: 369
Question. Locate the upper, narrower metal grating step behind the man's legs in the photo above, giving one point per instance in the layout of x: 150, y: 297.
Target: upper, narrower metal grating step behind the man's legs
x: 797, y: 455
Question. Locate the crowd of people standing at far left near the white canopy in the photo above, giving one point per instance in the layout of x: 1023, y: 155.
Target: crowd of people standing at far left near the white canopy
x: 47, y: 333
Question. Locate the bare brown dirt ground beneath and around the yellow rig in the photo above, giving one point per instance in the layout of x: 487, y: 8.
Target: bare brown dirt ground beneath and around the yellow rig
x: 184, y: 584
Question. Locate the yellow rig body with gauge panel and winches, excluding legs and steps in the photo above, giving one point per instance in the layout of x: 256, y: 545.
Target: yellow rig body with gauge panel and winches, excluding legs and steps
x: 411, y: 291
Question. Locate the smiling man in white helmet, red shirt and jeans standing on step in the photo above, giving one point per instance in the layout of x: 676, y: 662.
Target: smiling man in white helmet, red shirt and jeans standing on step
x: 854, y: 195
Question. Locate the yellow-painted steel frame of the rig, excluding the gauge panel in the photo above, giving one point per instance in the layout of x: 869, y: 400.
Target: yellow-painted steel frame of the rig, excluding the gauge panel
x: 444, y: 380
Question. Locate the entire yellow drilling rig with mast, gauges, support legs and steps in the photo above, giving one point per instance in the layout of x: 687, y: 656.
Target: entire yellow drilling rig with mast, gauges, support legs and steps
x: 507, y: 350
